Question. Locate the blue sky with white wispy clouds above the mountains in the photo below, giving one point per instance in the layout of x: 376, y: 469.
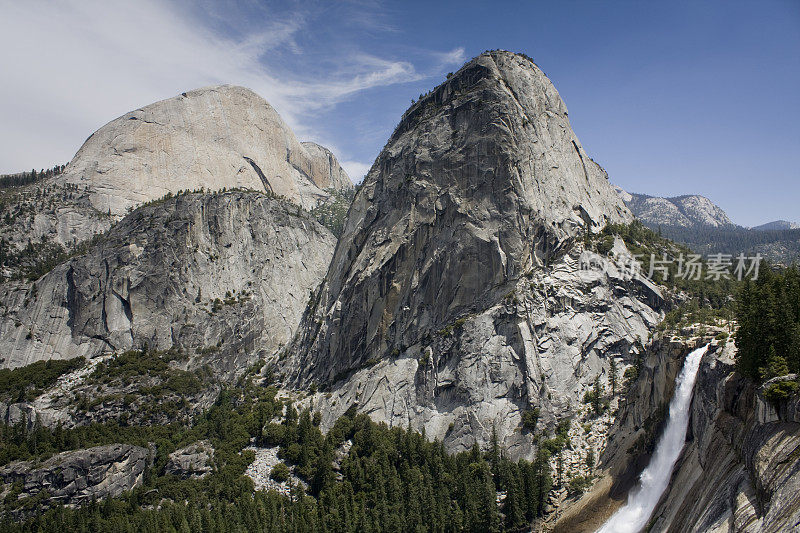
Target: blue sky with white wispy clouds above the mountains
x: 670, y: 97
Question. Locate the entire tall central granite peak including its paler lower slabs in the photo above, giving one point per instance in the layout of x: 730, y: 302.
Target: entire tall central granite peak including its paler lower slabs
x: 455, y: 299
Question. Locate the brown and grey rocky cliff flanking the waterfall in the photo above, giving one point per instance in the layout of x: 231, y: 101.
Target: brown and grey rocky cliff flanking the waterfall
x: 738, y: 470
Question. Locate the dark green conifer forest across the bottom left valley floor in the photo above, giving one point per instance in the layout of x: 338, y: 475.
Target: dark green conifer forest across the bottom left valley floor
x: 388, y: 479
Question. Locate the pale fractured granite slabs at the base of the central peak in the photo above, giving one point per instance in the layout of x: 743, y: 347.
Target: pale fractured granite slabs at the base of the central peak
x: 542, y: 345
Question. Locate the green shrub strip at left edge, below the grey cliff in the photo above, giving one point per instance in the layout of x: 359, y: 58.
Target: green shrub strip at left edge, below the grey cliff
x: 28, y: 382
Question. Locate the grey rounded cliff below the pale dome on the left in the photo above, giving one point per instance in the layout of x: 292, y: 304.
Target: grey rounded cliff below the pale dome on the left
x: 225, y: 277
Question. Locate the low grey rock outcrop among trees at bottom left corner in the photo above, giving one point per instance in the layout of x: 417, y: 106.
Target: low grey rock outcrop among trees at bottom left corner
x: 80, y: 476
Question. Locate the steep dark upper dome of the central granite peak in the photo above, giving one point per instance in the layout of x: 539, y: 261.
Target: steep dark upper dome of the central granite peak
x: 482, y: 180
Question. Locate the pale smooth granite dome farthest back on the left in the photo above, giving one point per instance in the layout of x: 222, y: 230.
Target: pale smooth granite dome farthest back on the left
x: 215, y: 138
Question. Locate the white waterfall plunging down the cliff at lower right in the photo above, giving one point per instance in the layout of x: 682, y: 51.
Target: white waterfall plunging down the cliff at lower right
x: 633, y: 516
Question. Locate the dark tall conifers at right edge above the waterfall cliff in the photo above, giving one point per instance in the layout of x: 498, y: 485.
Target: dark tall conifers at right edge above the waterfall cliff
x: 768, y: 313
